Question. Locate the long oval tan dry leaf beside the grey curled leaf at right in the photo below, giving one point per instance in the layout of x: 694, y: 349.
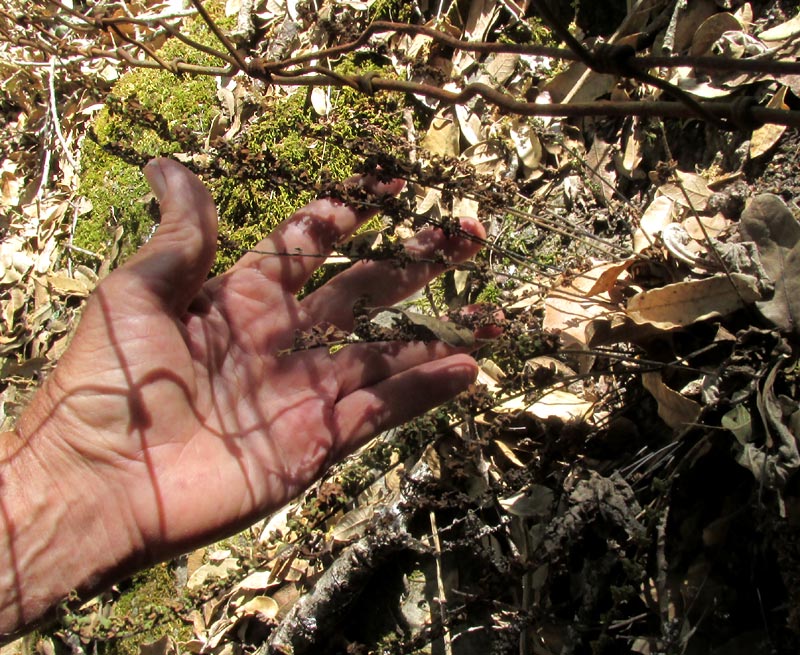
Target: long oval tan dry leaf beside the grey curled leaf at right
x: 684, y: 303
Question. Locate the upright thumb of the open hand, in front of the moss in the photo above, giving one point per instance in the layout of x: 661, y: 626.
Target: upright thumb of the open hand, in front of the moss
x: 173, y: 265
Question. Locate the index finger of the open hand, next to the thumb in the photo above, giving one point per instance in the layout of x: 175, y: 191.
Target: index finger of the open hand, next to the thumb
x: 300, y: 244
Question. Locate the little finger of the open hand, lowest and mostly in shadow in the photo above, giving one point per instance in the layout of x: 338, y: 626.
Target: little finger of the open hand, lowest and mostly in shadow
x: 366, y: 412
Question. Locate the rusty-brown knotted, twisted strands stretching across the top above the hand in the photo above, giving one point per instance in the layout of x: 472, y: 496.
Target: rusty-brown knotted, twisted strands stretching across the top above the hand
x: 286, y: 72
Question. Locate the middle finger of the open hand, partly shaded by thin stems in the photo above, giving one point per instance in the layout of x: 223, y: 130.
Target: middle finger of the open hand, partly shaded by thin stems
x: 385, y: 283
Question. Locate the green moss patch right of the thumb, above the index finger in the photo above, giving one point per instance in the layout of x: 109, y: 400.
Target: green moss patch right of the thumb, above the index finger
x: 309, y: 150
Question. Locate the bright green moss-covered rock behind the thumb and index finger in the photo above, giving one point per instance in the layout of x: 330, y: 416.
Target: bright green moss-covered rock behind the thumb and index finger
x: 154, y: 113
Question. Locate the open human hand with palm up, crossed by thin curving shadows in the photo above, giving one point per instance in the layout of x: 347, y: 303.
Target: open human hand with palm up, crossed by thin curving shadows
x: 176, y: 403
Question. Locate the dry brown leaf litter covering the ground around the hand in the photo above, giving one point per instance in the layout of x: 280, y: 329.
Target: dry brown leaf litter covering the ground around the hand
x: 623, y: 475
